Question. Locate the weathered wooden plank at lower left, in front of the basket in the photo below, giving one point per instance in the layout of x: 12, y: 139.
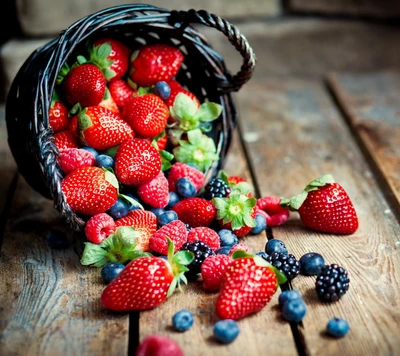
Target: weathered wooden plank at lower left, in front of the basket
x: 50, y: 304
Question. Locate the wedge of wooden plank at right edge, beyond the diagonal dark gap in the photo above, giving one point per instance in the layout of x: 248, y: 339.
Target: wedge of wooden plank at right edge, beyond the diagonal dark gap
x: 371, y: 105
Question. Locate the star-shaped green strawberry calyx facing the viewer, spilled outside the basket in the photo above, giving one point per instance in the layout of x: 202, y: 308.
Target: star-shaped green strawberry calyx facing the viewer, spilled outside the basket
x: 237, y: 209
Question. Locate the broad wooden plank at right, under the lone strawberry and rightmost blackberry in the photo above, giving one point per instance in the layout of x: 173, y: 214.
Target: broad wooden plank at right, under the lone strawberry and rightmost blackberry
x: 297, y: 135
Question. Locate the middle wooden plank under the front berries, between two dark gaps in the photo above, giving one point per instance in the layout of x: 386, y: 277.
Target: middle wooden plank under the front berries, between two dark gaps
x: 259, y: 333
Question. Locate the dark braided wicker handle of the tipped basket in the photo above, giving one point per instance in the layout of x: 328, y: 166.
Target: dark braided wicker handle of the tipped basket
x: 237, y: 39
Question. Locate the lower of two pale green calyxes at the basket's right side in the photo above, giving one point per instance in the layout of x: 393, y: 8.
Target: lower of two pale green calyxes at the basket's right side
x: 199, y: 149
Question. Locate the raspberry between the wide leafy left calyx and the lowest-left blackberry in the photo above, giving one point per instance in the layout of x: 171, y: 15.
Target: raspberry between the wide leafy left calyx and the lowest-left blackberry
x: 175, y: 230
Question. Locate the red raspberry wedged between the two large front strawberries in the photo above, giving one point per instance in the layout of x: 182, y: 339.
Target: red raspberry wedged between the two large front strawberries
x: 212, y: 271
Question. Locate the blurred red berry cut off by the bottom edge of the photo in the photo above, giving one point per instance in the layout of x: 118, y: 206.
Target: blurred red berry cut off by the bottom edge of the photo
x: 158, y: 345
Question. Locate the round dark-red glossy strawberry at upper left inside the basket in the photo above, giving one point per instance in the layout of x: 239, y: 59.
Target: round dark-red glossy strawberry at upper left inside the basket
x: 84, y: 84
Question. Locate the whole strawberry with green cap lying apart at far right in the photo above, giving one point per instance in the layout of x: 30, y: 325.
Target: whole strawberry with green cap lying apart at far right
x: 325, y: 206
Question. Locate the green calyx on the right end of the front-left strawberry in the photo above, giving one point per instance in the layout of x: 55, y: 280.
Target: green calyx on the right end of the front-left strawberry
x: 178, y: 263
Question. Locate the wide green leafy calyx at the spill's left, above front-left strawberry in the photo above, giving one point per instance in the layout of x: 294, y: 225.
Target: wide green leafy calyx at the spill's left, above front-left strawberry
x: 117, y: 247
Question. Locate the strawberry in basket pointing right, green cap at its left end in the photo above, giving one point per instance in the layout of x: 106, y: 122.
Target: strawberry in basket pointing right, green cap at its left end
x: 102, y: 129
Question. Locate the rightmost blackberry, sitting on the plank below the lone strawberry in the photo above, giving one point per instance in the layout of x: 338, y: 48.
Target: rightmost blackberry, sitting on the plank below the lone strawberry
x: 332, y: 283
